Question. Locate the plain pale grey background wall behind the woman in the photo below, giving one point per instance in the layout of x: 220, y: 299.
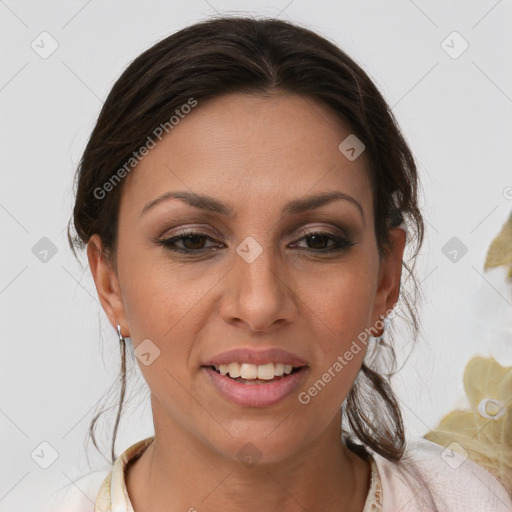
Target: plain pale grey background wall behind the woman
x: 59, y: 354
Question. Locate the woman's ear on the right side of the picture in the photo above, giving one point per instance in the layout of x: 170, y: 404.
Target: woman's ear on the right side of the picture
x: 390, y: 273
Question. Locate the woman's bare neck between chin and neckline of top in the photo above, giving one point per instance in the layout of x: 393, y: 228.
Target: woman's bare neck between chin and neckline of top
x: 176, y: 472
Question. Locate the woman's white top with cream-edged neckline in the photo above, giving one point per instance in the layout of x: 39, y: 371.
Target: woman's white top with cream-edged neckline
x: 457, y: 484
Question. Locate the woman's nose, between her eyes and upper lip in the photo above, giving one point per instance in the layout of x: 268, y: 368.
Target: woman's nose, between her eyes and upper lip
x: 258, y: 295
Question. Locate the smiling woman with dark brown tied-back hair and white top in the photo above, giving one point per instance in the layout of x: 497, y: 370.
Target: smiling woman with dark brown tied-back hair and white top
x: 246, y: 198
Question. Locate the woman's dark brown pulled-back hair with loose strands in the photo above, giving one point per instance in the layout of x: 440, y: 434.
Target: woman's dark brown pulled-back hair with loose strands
x: 257, y: 56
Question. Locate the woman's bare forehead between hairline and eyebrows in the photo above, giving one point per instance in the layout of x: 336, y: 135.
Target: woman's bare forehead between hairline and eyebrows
x: 251, y: 150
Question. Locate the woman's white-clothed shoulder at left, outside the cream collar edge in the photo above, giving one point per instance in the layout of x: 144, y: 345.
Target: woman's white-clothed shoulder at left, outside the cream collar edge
x: 79, y: 495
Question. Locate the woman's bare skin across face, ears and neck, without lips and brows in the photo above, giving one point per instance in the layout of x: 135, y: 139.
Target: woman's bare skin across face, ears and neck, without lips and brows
x: 255, y: 153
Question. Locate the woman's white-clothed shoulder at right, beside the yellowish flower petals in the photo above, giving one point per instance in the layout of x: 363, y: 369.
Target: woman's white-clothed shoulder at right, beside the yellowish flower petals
x: 456, y: 484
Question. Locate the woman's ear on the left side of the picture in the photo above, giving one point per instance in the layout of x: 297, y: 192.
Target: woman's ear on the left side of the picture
x: 107, y: 284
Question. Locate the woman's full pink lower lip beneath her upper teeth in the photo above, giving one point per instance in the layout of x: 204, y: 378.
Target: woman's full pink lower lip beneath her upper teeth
x: 256, y: 395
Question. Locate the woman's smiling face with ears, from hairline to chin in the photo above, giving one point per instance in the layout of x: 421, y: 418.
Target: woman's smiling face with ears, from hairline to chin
x: 267, y: 269
